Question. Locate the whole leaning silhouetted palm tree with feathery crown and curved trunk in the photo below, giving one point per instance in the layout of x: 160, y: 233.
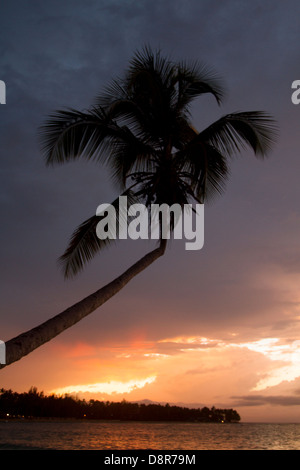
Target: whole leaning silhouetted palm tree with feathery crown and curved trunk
x: 140, y: 127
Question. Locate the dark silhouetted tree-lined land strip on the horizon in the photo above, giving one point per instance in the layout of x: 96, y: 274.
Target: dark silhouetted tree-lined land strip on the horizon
x: 34, y: 404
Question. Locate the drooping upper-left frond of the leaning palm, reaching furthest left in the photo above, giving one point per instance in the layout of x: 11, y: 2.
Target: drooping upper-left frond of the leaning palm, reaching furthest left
x: 69, y: 135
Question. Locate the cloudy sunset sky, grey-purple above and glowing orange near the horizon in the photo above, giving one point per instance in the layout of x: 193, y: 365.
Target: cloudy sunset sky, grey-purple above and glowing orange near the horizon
x: 219, y: 326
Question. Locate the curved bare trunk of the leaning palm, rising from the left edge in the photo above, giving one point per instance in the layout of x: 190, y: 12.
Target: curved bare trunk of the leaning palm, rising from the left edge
x: 27, y: 342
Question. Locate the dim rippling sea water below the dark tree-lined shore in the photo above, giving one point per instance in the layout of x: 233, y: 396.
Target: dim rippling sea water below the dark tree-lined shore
x: 97, y: 435
